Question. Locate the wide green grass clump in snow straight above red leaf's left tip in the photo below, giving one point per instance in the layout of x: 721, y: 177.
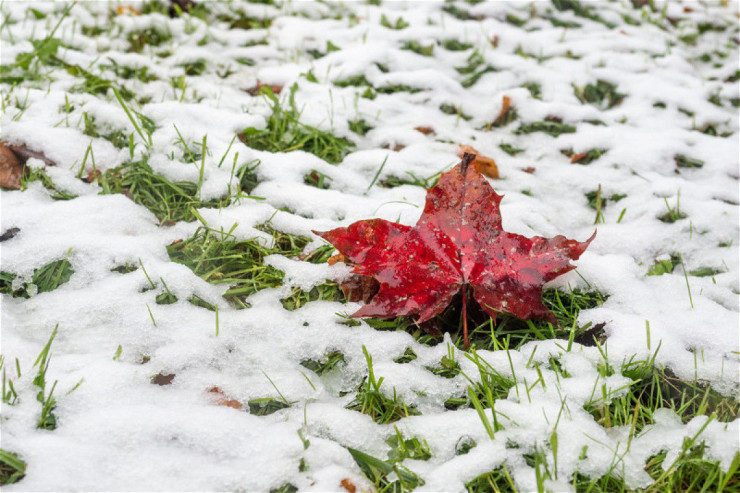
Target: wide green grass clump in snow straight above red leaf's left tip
x: 285, y: 133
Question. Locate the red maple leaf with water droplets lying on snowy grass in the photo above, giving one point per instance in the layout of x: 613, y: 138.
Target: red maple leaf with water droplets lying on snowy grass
x: 457, y: 242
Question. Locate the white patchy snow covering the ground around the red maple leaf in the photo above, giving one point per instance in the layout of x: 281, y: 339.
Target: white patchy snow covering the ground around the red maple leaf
x: 118, y: 431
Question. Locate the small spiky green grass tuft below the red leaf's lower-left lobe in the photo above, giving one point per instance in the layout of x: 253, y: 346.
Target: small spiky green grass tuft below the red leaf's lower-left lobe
x: 371, y: 401
